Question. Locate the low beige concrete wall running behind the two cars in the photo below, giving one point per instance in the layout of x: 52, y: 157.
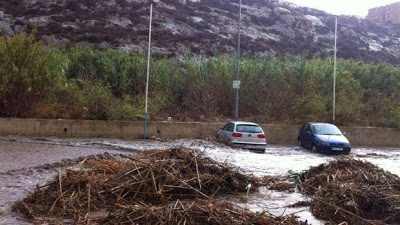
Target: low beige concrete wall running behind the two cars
x: 276, y: 133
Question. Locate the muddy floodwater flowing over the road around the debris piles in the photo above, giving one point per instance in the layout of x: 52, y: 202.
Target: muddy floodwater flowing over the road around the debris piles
x: 26, y: 163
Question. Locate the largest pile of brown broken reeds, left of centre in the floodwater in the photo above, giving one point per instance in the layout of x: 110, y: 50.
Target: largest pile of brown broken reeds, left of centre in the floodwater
x: 174, y: 186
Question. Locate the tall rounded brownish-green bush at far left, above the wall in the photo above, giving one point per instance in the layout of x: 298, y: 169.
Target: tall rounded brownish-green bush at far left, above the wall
x: 28, y: 71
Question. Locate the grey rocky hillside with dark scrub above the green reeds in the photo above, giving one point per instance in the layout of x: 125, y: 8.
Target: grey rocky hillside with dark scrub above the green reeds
x: 201, y: 27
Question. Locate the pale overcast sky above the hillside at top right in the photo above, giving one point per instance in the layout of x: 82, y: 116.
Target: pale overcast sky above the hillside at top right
x: 346, y: 7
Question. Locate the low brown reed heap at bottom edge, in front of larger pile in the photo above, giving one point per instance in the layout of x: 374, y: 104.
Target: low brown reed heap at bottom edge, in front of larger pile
x: 195, y: 212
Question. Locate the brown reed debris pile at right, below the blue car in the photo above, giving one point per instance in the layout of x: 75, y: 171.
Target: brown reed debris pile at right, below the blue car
x: 353, y: 191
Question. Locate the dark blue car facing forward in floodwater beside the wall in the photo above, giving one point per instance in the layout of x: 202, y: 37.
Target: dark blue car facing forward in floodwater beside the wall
x: 323, y: 137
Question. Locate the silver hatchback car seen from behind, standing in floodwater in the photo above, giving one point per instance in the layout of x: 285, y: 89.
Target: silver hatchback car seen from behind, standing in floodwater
x: 244, y: 135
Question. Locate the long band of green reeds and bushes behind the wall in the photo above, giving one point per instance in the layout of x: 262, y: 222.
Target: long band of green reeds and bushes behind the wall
x: 46, y: 82
